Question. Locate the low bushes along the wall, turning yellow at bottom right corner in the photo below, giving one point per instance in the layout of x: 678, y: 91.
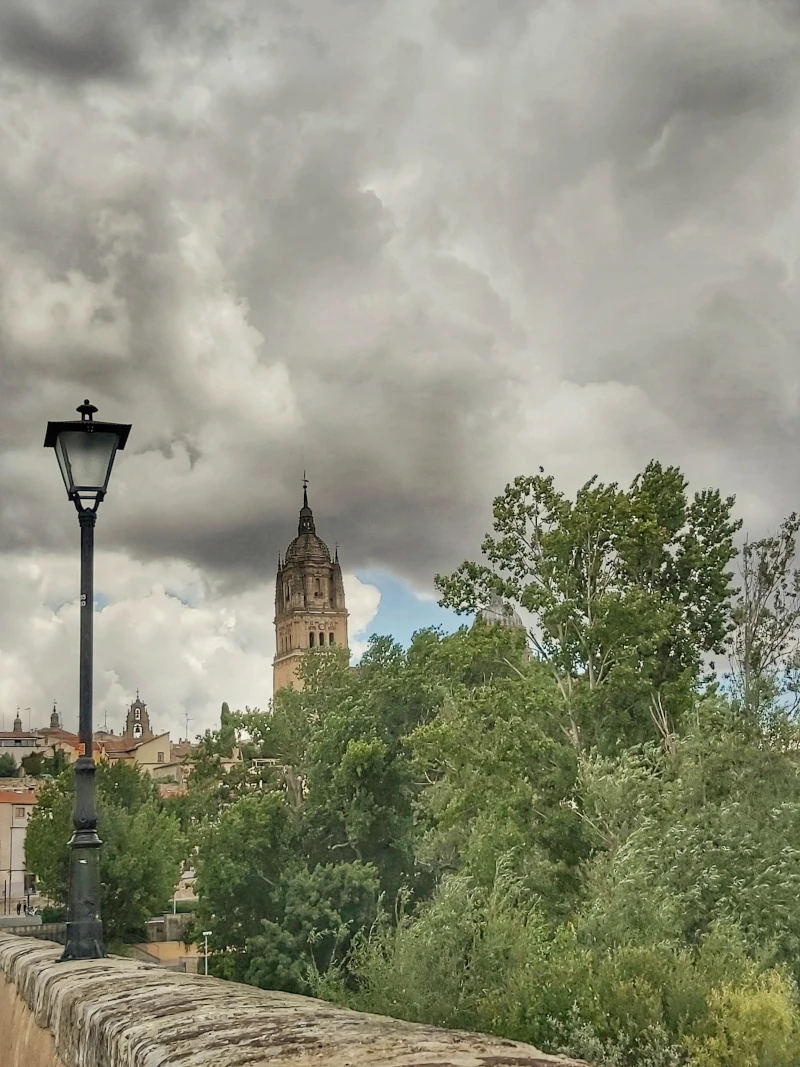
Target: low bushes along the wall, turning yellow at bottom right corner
x: 487, y: 961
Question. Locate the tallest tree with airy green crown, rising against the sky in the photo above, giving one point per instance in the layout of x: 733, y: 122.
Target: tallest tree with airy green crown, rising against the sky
x: 630, y: 590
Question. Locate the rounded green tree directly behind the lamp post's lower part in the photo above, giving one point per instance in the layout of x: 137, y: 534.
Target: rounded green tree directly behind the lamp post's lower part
x: 141, y: 857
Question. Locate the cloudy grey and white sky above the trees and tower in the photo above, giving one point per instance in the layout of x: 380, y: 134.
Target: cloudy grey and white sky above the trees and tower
x: 414, y: 247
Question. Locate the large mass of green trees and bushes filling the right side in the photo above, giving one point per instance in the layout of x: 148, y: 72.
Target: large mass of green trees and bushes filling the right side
x: 587, y: 837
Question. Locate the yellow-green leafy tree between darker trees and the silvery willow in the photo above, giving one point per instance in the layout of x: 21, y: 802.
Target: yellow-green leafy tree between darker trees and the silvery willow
x: 499, y: 781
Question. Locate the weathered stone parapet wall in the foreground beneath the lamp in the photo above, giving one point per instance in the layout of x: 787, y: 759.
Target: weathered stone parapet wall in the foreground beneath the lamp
x: 120, y: 1013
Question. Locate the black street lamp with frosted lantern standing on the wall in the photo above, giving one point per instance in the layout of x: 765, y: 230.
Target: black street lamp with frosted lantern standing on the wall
x: 86, y: 452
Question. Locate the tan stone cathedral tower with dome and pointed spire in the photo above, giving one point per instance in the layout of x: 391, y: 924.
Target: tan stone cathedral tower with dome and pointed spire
x: 310, y: 601
